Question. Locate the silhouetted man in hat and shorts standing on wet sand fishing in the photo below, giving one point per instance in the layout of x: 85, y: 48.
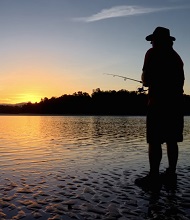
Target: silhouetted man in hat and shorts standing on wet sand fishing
x: 163, y: 74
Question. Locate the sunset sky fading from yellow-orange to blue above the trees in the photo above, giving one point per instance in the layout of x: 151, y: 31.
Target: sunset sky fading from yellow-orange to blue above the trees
x: 55, y: 47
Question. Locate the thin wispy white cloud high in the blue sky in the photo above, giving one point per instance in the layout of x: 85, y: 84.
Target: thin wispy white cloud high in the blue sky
x: 121, y: 11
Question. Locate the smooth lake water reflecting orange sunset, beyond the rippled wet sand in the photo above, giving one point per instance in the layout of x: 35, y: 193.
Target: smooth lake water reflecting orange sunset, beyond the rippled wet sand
x: 51, y: 142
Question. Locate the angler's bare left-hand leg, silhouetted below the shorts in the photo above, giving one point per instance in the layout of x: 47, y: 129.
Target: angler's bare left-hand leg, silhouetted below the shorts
x: 155, y: 156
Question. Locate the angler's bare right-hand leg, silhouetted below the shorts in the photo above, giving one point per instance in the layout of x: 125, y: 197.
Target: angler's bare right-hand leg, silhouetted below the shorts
x: 172, y: 152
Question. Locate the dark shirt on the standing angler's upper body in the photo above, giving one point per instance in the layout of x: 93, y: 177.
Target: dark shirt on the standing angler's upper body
x: 164, y: 74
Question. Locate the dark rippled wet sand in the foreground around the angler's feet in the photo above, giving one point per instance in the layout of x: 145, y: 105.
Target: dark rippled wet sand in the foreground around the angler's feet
x: 91, y: 194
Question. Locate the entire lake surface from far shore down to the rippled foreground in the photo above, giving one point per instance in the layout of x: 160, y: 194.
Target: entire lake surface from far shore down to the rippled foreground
x: 87, y: 162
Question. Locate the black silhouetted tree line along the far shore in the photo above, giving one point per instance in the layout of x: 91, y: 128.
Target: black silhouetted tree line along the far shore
x: 100, y: 102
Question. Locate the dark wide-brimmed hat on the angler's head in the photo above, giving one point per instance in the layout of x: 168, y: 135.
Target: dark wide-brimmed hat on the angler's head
x: 160, y: 33
